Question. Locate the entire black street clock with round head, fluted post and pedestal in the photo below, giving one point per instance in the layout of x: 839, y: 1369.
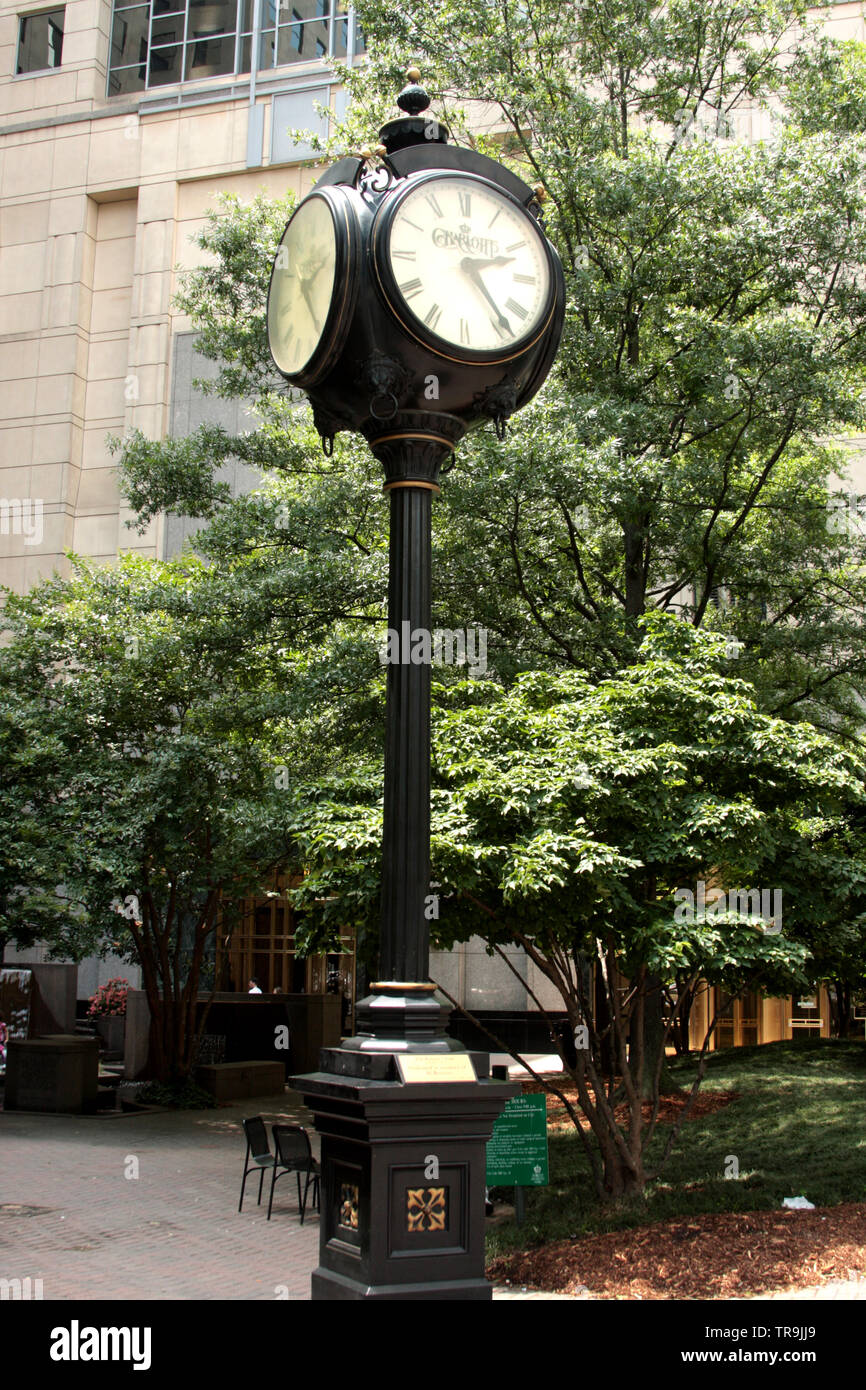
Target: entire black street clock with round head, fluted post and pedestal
x: 419, y: 301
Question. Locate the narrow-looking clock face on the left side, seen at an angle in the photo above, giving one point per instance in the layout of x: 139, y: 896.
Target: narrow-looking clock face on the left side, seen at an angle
x: 302, y: 287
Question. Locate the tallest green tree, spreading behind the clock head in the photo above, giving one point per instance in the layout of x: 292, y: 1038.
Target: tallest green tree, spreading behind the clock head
x: 714, y: 345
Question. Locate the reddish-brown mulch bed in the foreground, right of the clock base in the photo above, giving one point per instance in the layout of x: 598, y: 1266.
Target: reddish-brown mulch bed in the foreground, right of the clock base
x: 725, y: 1256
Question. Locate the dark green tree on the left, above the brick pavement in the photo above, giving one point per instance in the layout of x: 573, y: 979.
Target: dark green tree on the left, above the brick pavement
x: 156, y: 730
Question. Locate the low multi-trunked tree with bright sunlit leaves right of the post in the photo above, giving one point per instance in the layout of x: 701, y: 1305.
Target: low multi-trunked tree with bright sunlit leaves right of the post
x: 566, y: 817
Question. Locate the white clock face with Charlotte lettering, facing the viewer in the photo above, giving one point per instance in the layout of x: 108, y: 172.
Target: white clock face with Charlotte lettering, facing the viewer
x: 469, y: 266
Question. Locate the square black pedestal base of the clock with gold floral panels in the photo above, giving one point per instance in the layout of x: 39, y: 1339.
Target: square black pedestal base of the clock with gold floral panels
x: 404, y: 1163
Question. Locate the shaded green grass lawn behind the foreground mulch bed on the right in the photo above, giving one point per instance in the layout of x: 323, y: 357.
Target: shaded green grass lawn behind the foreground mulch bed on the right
x: 797, y: 1128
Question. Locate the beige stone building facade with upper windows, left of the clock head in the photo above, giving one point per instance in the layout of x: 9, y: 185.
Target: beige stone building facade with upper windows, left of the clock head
x: 117, y: 131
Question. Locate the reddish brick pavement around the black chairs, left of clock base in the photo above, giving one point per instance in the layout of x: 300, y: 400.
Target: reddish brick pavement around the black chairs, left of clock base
x: 72, y: 1218
